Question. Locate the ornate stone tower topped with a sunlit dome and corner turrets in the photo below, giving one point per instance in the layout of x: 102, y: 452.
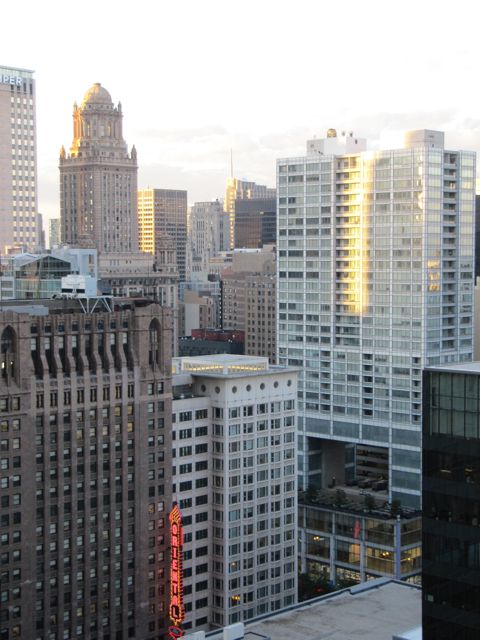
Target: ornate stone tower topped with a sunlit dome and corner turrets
x: 98, y: 178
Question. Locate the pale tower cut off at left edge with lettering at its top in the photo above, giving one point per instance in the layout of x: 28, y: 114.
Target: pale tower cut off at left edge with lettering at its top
x: 18, y: 161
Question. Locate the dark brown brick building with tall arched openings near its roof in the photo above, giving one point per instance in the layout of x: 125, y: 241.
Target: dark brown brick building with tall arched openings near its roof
x: 84, y: 471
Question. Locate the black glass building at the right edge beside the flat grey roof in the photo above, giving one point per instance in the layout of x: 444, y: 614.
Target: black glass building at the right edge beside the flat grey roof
x: 451, y: 503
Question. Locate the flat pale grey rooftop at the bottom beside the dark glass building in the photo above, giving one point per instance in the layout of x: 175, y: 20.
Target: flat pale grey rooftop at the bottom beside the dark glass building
x: 380, y: 612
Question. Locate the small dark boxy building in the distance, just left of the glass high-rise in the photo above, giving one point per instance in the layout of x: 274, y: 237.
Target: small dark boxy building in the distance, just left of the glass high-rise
x: 255, y: 222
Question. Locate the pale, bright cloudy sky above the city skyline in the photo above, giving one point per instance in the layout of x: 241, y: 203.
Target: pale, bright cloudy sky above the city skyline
x: 198, y: 78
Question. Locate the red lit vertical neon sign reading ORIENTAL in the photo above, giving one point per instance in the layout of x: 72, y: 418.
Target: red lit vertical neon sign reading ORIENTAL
x: 177, y: 610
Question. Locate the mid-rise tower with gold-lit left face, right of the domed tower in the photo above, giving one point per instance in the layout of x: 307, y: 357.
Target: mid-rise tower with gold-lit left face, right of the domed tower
x: 163, y: 212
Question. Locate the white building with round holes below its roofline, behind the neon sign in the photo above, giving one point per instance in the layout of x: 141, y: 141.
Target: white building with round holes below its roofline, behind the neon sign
x: 235, y: 482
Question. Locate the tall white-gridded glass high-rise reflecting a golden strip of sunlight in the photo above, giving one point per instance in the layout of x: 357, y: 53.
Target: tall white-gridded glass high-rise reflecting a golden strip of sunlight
x: 375, y: 282
